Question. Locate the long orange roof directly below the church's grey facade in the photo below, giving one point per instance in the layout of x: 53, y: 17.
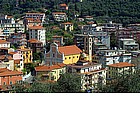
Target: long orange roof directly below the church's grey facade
x: 49, y: 68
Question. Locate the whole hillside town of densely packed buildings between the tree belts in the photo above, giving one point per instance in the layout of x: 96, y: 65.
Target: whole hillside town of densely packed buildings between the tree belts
x: 46, y: 45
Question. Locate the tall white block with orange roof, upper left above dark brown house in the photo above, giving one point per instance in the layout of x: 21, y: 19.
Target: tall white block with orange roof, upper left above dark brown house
x: 37, y: 32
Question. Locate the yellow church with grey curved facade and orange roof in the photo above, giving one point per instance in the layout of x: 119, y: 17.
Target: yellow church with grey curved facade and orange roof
x: 66, y: 54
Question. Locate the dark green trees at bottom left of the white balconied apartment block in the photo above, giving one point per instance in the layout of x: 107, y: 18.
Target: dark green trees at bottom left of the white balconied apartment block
x: 68, y: 83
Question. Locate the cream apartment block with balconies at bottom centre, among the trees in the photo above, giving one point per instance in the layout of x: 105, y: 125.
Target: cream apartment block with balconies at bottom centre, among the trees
x: 91, y: 74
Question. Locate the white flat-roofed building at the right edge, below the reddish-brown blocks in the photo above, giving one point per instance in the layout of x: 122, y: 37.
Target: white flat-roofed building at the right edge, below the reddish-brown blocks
x: 128, y: 44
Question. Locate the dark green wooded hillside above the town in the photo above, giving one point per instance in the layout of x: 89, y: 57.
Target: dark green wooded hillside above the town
x: 125, y: 11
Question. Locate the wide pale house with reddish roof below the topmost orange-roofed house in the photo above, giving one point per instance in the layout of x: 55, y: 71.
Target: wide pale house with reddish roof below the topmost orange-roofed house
x: 59, y: 16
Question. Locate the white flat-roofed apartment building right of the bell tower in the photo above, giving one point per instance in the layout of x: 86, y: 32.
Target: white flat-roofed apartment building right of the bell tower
x: 108, y: 57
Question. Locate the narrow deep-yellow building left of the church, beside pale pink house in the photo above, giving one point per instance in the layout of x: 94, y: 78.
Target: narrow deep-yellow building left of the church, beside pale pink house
x: 27, y: 54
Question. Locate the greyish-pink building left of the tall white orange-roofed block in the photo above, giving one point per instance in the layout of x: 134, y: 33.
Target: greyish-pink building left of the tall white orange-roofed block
x: 17, y: 38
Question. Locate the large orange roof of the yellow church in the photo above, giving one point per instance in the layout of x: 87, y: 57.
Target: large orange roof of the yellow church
x: 69, y: 50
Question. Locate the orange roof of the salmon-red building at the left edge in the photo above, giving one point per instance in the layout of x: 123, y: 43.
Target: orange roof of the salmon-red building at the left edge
x: 10, y: 73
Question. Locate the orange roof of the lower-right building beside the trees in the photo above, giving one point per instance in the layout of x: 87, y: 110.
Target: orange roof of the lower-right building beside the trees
x: 121, y: 65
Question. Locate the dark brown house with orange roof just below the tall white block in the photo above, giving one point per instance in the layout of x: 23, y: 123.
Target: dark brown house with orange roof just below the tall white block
x: 35, y: 45
